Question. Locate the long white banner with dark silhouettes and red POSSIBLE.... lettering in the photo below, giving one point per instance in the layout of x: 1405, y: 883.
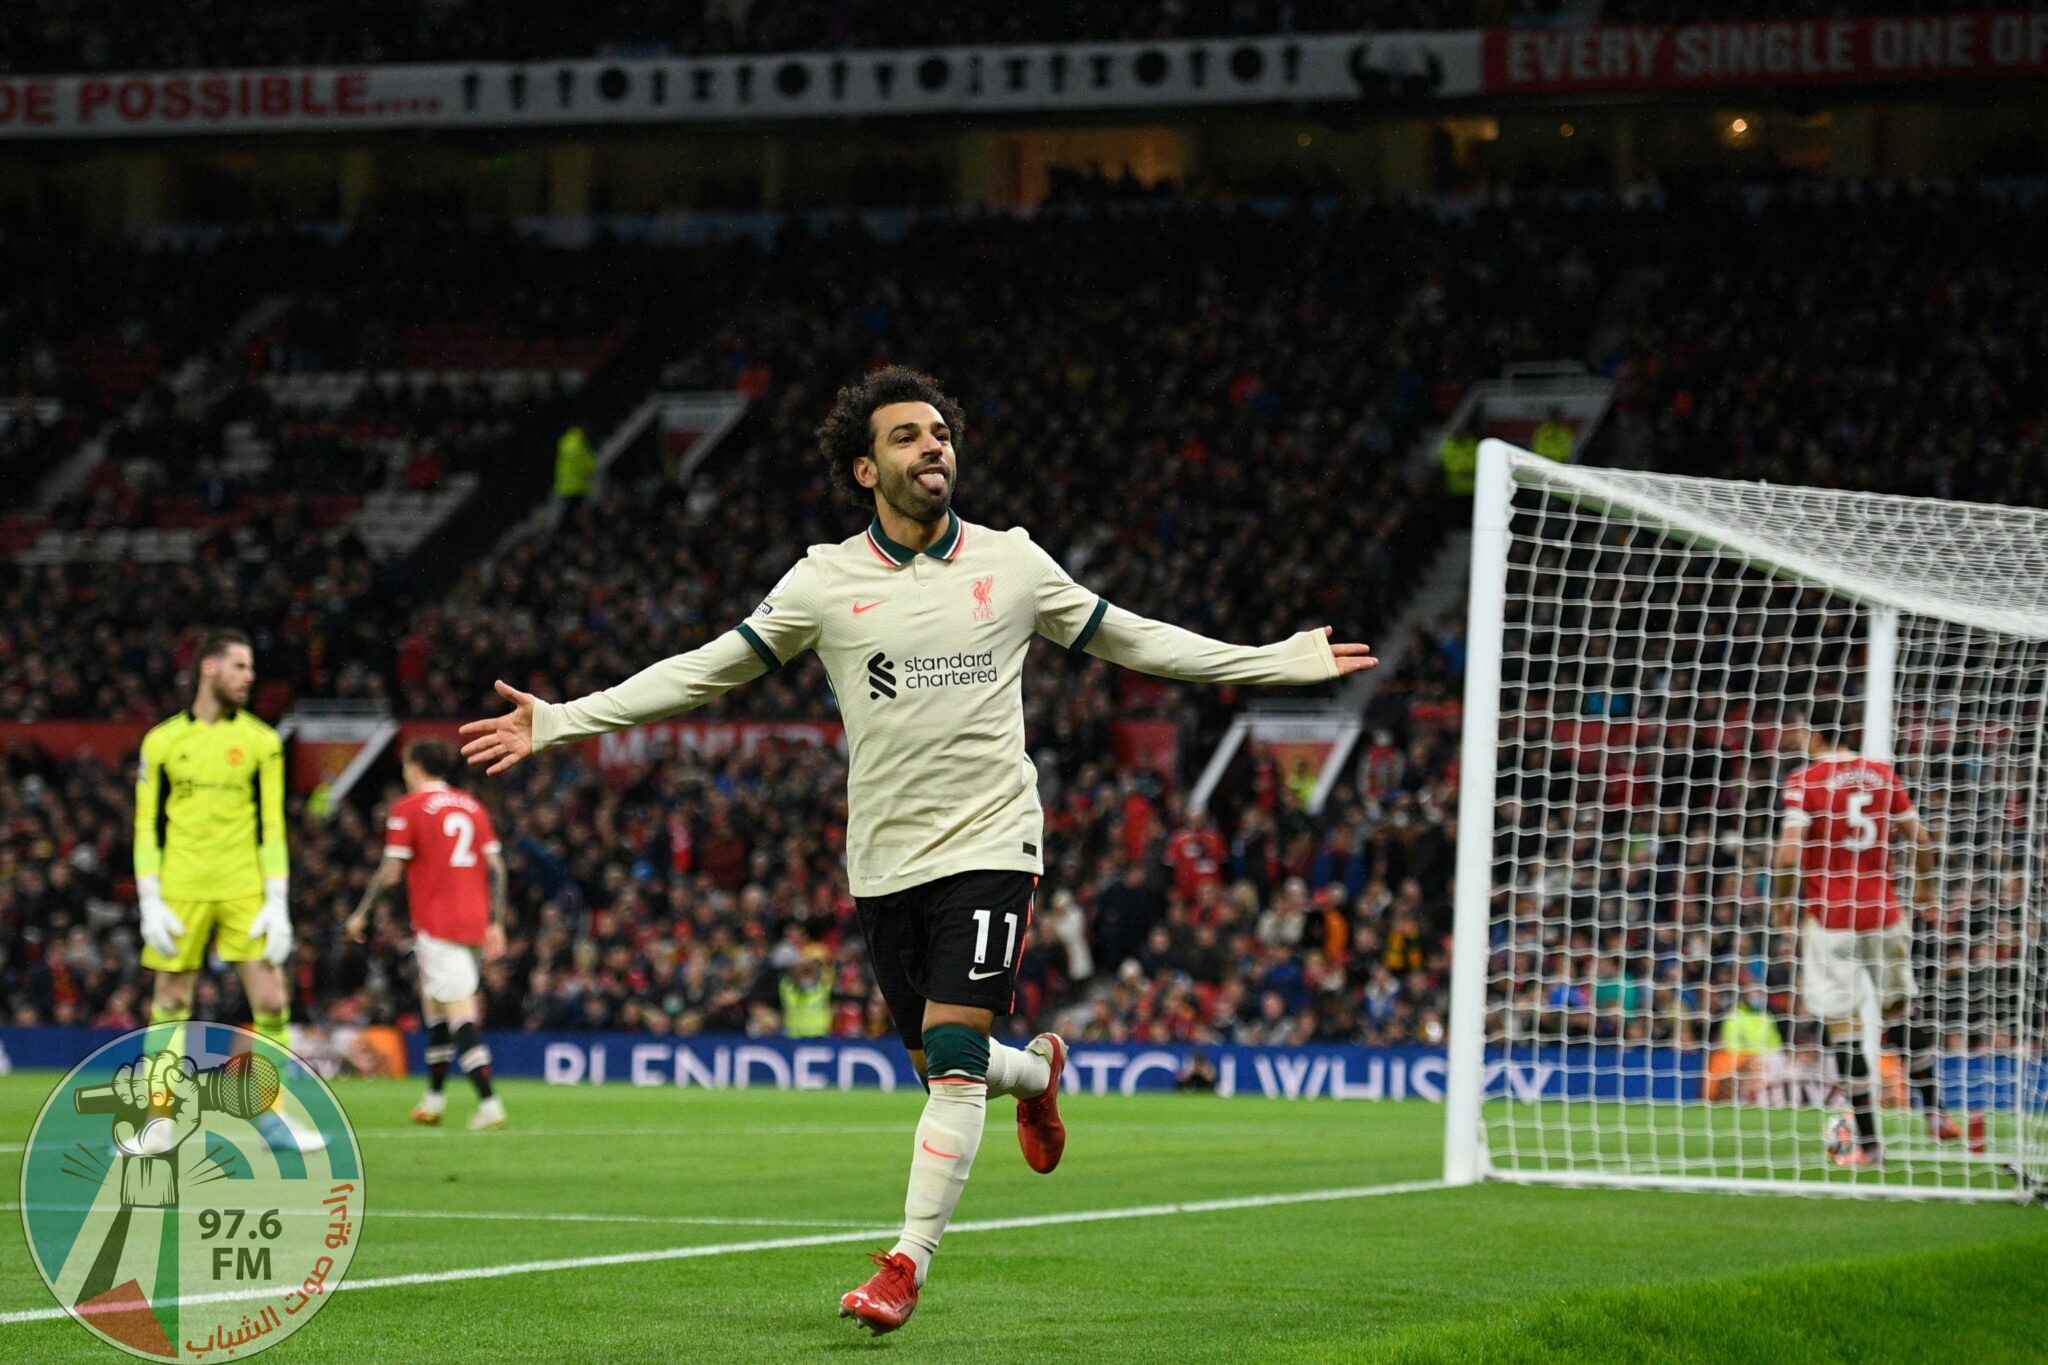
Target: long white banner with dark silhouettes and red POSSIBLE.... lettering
x: 1078, y: 77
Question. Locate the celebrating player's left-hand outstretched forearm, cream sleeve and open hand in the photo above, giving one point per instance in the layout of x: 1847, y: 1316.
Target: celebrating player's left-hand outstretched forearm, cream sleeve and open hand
x: 669, y: 689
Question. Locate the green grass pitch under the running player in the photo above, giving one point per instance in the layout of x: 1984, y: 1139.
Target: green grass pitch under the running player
x: 1414, y: 1276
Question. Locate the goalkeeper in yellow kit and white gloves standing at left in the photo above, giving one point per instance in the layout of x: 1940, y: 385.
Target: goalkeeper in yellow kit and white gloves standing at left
x: 210, y: 846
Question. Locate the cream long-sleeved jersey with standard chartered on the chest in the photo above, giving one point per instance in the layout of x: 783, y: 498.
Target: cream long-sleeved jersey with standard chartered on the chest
x: 927, y: 656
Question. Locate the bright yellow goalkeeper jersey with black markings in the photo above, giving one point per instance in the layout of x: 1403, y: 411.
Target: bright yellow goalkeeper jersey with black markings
x: 210, y: 807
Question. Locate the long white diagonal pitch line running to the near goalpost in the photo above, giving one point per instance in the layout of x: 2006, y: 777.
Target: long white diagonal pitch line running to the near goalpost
x: 794, y: 1243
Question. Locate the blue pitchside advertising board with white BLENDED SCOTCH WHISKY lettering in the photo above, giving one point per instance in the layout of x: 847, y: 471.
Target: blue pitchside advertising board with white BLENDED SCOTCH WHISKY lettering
x: 1318, y: 1071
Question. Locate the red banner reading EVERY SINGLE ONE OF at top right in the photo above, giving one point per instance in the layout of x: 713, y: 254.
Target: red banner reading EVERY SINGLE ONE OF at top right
x: 1781, y: 52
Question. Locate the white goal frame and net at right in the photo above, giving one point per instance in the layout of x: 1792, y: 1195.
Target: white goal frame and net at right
x: 1648, y: 658
